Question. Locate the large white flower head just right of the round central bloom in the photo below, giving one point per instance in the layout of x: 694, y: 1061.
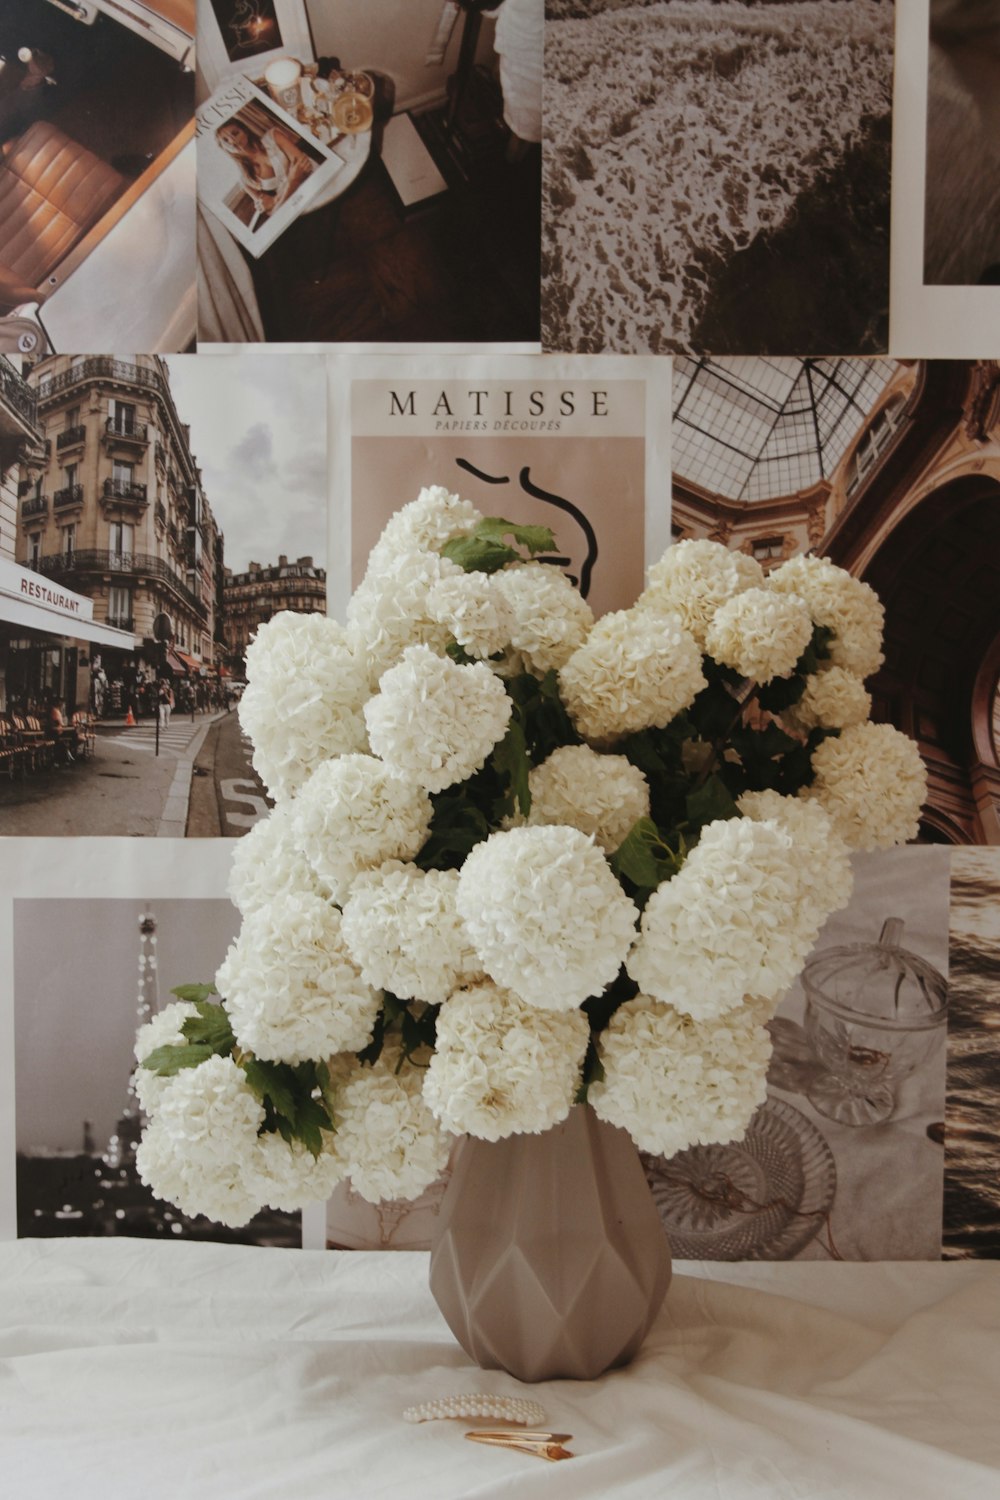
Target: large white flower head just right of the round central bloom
x: 734, y: 922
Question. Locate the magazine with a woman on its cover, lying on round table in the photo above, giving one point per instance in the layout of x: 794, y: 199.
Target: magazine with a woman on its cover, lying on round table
x: 257, y: 166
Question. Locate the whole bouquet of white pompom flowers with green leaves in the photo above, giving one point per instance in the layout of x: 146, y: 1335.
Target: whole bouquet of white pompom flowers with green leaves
x: 521, y: 859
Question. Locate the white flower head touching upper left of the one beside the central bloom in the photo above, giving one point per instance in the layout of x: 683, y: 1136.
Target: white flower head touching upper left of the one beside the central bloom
x: 353, y: 815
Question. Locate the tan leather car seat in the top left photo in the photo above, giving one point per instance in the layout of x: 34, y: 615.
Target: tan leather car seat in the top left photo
x: 52, y: 193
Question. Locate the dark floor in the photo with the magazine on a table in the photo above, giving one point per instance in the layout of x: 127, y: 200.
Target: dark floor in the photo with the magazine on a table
x: 464, y: 269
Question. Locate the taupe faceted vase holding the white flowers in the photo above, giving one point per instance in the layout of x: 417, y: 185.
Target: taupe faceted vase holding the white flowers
x: 549, y: 1258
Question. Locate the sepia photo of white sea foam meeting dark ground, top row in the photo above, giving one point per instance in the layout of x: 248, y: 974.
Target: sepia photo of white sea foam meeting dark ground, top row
x: 717, y: 176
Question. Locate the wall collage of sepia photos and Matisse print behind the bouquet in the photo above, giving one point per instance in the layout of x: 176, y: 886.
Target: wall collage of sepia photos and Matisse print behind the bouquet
x: 635, y: 271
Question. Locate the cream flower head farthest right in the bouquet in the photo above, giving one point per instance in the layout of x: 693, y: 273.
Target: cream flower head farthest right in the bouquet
x: 873, y: 784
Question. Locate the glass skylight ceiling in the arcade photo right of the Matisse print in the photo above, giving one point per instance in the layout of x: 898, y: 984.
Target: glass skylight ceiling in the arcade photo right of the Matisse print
x: 759, y: 428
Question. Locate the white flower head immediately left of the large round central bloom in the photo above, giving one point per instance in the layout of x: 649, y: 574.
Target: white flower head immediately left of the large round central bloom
x: 406, y: 934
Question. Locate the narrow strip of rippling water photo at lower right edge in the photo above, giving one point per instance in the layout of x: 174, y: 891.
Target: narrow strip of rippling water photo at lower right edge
x: 972, y: 1133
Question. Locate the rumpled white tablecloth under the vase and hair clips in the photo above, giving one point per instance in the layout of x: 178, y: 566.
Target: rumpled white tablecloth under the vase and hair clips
x: 134, y: 1369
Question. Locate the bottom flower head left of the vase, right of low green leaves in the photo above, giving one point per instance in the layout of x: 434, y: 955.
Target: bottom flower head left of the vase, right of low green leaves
x: 388, y: 1141
